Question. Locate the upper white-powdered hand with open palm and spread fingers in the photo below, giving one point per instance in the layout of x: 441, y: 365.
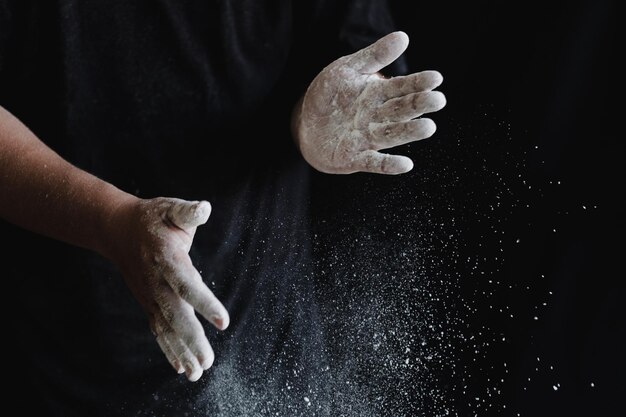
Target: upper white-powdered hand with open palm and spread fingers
x: 350, y: 112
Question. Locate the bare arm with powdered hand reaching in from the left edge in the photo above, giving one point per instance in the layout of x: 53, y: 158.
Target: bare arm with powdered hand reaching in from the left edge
x: 148, y: 240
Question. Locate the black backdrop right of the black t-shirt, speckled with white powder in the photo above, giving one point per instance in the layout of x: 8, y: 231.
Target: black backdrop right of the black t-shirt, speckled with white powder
x: 514, y: 211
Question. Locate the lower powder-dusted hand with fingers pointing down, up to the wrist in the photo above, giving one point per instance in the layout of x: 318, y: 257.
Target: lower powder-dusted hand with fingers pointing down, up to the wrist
x: 152, y: 242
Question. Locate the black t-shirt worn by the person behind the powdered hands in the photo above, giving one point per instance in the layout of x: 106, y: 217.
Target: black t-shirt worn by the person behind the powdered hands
x: 183, y: 99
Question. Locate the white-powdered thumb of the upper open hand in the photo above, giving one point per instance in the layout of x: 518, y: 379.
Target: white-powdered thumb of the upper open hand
x: 378, y: 55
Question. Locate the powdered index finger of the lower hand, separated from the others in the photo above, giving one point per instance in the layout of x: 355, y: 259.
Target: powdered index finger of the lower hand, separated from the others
x: 186, y: 281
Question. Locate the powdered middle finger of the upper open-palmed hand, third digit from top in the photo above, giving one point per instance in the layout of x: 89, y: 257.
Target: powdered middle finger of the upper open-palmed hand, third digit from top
x: 401, y: 109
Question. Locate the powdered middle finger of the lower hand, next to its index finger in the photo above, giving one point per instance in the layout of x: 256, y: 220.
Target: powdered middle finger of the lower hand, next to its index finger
x: 181, y: 318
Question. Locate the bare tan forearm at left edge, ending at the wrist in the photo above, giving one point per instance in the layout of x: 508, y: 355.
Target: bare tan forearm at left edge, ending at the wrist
x: 42, y: 192
